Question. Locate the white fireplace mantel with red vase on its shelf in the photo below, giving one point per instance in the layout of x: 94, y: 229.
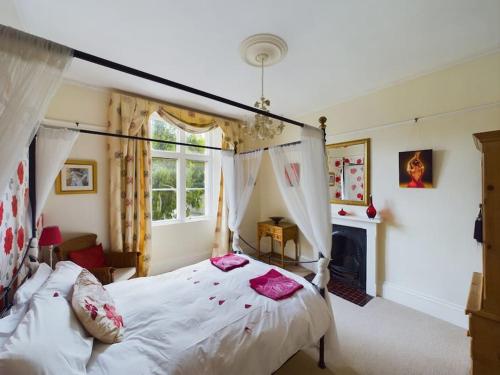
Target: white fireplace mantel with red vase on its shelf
x: 370, y: 225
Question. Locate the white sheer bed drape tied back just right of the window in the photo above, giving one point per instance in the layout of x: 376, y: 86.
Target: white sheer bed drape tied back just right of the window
x: 240, y: 174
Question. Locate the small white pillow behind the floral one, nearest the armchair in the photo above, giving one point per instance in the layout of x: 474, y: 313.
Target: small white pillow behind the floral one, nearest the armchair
x: 60, y: 282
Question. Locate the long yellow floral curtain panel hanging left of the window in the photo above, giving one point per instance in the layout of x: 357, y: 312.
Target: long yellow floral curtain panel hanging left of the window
x: 130, y: 178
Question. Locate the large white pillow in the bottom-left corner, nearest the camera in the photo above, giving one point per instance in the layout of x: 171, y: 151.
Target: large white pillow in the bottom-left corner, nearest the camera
x: 49, y: 340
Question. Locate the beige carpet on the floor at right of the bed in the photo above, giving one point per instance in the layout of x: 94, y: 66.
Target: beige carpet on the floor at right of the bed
x: 384, y: 338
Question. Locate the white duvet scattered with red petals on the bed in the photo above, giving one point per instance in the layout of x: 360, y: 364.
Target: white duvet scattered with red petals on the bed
x: 200, y: 320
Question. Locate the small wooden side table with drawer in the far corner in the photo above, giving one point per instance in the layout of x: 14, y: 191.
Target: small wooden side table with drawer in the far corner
x: 282, y: 233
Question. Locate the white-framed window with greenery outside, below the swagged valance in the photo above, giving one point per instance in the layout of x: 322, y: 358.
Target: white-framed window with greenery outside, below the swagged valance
x: 181, y: 175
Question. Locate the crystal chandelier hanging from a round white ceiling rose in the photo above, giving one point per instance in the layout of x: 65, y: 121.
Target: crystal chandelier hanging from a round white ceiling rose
x: 263, y: 50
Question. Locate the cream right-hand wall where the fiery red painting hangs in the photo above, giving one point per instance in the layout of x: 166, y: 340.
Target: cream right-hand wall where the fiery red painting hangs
x: 427, y: 254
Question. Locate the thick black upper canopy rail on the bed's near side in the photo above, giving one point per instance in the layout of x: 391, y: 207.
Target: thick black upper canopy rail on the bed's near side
x: 151, y: 77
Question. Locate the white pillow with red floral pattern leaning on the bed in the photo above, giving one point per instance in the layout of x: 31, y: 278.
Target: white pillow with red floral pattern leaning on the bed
x: 95, y: 309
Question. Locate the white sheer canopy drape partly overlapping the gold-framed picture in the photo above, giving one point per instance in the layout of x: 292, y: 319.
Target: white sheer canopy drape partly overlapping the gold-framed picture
x: 52, y: 149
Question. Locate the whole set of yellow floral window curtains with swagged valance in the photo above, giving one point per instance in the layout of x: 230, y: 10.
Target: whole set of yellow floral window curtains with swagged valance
x: 130, y: 170
